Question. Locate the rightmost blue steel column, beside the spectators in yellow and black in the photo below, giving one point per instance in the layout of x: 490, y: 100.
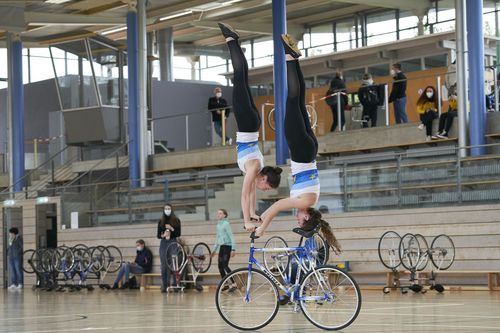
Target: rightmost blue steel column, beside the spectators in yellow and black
x: 475, y: 40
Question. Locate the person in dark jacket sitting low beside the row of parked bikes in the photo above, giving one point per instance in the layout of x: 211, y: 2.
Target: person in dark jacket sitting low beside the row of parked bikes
x: 143, y: 263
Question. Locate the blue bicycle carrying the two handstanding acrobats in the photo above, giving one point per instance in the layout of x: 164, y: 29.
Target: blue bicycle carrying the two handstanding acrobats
x: 248, y: 298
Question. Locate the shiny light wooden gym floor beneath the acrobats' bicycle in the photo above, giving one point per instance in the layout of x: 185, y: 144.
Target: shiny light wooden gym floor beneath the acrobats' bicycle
x: 150, y: 311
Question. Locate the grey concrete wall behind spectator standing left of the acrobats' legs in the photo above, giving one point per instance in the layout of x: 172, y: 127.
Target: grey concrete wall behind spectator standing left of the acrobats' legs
x: 179, y: 98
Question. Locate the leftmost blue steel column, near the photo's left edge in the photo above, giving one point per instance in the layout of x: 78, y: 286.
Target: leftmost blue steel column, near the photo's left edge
x: 17, y: 113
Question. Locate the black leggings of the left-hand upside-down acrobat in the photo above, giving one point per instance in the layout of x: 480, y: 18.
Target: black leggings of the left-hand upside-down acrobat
x: 245, y: 112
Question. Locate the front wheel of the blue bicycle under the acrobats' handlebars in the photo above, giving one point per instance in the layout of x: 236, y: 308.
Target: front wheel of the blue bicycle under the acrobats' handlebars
x: 247, y: 301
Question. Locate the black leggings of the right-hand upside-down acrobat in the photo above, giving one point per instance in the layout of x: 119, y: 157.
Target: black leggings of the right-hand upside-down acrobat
x: 299, y: 135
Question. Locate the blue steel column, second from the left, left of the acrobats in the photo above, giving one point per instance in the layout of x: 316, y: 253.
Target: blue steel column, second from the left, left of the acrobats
x: 133, y: 97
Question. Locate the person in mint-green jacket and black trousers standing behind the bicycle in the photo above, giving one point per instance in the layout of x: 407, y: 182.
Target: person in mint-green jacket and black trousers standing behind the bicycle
x: 224, y: 244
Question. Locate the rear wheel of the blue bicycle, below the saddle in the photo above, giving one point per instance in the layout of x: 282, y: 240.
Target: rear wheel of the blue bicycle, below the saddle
x: 329, y: 298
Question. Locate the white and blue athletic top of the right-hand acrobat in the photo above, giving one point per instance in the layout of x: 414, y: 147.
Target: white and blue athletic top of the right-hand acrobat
x: 305, y: 179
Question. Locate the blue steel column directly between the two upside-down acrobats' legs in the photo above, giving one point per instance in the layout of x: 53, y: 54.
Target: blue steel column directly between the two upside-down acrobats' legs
x: 280, y: 83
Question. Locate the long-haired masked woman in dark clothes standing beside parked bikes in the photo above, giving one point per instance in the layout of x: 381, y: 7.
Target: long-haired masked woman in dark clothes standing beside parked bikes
x: 169, y: 228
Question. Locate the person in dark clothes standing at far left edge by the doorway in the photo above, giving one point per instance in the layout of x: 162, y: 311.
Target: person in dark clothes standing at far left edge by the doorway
x: 15, y: 259
